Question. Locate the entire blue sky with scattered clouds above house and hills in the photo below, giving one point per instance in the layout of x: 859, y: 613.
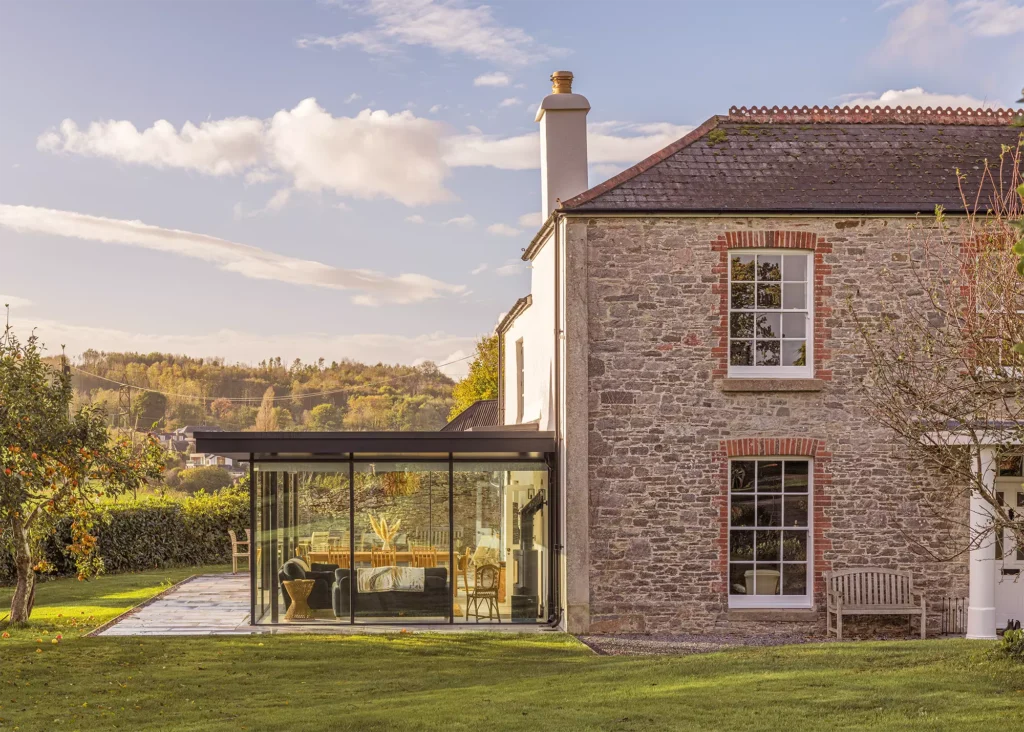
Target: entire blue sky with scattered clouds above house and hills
x: 358, y: 179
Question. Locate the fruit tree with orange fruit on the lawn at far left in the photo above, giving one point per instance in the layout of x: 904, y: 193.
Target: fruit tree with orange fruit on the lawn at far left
x: 55, y: 462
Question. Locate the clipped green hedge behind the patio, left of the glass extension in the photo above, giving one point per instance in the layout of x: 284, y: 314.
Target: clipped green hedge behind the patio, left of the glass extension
x: 151, y: 534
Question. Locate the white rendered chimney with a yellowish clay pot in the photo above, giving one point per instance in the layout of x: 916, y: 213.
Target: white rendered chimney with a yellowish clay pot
x: 564, y: 143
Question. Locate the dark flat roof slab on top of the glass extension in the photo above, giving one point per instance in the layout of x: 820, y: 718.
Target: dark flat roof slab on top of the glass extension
x: 495, y: 444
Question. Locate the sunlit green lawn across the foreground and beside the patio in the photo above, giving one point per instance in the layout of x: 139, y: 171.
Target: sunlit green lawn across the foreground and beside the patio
x: 475, y: 682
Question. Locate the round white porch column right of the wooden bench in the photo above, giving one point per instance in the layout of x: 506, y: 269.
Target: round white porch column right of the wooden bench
x: 982, y: 606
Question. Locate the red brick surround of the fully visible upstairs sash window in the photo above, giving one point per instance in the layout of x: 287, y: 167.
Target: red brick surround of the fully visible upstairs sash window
x: 819, y: 334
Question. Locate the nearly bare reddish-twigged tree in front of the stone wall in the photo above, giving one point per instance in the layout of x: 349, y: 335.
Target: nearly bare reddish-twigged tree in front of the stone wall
x: 944, y: 372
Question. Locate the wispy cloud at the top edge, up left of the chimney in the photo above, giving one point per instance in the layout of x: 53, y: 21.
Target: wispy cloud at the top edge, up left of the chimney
x: 447, y: 26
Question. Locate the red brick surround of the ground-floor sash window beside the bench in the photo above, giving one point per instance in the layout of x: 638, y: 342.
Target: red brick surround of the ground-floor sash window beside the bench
x: 817, y: 452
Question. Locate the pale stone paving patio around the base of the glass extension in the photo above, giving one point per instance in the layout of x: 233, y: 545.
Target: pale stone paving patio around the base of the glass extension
x: 219, y: 606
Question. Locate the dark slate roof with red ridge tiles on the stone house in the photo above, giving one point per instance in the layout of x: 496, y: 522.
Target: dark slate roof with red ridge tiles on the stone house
x: 820, y: 160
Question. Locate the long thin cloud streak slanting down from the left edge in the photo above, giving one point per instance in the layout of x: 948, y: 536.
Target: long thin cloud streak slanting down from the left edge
x: 229, y: 256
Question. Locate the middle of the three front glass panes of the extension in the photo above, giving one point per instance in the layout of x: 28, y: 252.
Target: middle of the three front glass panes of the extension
x: 402, y: 543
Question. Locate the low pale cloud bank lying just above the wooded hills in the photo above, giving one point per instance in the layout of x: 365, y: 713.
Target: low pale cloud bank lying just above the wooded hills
x: 245, y: 348
